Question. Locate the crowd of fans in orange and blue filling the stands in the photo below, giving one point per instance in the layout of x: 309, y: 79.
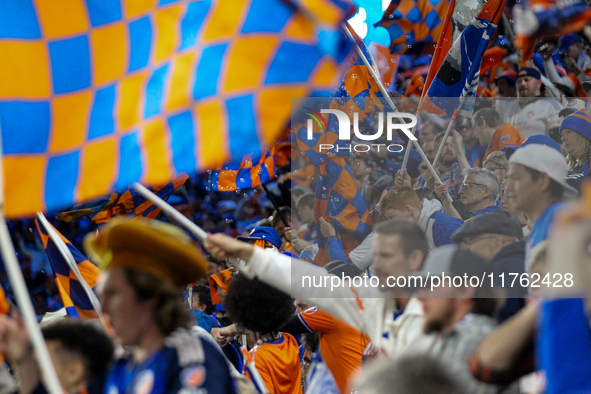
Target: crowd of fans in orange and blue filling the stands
x: 511, y: 200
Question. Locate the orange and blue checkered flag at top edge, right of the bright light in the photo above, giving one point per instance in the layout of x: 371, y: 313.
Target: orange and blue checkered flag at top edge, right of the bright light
x: 412, y: 24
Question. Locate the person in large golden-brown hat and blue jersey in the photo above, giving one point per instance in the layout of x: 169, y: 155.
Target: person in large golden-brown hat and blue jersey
x: 146, y: 264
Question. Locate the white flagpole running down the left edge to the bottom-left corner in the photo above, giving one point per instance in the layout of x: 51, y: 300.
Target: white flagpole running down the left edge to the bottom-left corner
x: 23, y: 299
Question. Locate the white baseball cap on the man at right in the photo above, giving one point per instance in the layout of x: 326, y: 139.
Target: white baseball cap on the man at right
x: 544, y: 159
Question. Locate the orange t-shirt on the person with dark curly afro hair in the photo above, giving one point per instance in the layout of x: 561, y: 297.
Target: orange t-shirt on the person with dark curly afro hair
x: 278, y: 363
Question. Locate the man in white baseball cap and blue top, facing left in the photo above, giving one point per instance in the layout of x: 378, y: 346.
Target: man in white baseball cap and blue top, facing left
x: 536, y: 183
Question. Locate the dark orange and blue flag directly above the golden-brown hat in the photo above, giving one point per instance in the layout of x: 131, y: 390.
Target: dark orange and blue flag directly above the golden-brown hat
x: 130, y: 203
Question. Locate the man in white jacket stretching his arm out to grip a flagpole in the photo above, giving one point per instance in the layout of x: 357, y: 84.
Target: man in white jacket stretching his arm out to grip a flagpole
x: 391, y: 317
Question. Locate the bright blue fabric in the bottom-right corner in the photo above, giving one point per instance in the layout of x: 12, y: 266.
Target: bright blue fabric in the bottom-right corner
x: 564, y: 346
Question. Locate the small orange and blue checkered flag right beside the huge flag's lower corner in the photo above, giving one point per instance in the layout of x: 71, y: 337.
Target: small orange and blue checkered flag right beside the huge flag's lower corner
x: 247, y: 173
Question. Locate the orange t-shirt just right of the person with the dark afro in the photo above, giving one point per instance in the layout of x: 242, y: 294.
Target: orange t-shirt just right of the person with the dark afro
x: 341, y: 345
